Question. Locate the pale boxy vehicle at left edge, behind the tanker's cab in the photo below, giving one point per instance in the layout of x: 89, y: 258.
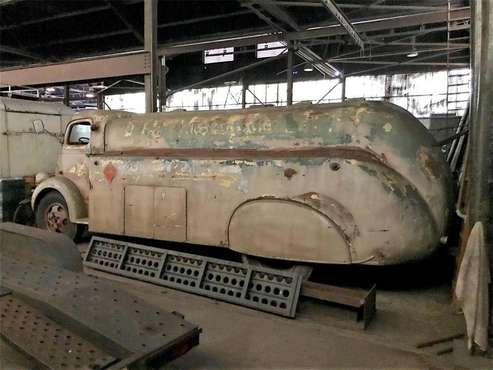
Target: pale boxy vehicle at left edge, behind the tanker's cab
x: 30, y: 133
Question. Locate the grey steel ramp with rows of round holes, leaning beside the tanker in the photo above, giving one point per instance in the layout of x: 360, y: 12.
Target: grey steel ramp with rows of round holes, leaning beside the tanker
x: 252, y: 286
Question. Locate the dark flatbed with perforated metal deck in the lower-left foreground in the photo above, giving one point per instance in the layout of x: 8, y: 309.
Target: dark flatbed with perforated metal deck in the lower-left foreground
x: 92, y: 312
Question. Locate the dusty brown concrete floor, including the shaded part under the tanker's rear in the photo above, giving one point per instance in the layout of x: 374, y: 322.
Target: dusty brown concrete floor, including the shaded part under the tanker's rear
x: 413, y: 306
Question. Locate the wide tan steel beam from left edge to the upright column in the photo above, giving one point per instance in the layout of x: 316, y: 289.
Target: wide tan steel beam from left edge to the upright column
x: 78, y: 70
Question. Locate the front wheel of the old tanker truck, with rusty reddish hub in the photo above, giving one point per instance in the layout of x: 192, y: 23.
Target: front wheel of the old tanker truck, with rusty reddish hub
x: 52, y: 214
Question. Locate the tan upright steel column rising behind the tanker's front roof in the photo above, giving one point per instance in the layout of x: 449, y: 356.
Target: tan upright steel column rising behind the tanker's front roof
x: 150, y: 44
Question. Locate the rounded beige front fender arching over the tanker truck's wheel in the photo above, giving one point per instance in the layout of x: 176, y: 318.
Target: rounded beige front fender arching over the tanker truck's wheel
x: 77, y: 207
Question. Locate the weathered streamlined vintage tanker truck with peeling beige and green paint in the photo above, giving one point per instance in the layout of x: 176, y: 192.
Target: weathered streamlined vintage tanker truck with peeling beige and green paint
x: 356, y: 182
